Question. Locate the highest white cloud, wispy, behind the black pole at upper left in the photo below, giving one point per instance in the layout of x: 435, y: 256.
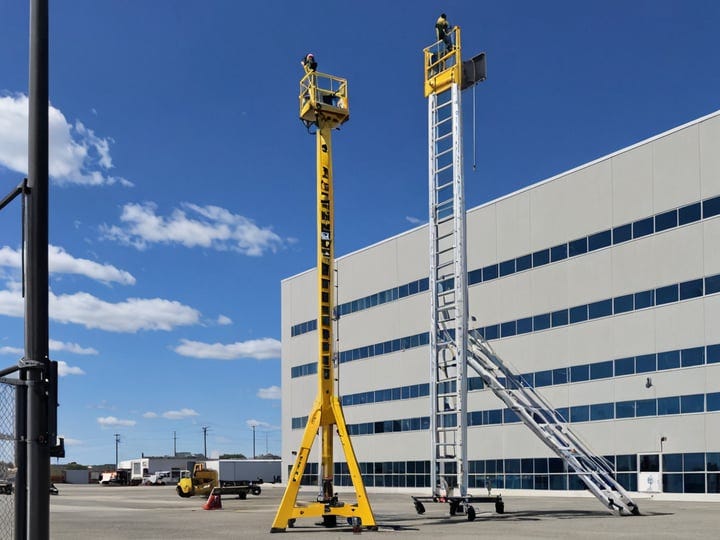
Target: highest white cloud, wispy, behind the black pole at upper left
x: 76, y: 154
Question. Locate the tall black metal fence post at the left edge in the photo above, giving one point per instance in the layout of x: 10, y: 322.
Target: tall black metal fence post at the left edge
x: 36, y: 362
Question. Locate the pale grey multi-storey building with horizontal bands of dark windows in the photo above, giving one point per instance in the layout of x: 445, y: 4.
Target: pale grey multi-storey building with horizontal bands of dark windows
x: 599, y: 285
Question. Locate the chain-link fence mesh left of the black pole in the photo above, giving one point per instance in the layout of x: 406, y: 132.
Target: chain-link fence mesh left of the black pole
x: 7, y: 459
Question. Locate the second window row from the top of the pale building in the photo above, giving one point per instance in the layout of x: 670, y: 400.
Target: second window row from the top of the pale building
x: 564, y: 317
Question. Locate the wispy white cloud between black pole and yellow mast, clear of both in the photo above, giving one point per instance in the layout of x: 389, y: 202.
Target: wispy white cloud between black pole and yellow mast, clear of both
x: 192, y: 226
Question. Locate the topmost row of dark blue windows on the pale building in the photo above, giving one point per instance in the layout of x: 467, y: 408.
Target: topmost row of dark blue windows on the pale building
x: 617, y: 235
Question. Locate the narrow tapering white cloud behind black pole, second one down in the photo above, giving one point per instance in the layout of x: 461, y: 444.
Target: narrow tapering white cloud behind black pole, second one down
x: 61, y: 262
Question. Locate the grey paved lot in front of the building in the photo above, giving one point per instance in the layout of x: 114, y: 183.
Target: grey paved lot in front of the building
x: 145, y: 512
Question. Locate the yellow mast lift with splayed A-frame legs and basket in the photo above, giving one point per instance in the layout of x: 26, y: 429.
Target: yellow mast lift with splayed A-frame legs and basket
x: 326, y: 412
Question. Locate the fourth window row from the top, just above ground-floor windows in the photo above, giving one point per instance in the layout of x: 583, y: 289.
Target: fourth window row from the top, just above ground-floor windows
x: 635, y: 408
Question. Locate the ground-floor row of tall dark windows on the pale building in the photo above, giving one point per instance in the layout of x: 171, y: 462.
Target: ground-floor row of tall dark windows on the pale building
x: 698, y: 475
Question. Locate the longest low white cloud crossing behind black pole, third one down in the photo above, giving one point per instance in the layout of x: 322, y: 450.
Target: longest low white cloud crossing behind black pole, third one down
x: 130, y: 316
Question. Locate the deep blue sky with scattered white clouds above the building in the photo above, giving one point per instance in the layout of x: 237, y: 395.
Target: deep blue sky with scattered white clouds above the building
x: 183, y: 182
